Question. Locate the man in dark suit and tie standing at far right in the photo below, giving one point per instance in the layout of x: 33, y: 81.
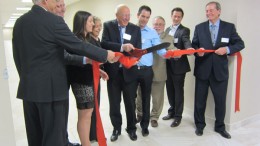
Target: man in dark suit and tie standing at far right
x: 211, y: 69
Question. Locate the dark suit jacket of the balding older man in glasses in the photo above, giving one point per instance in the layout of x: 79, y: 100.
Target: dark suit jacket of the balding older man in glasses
x: 111, y: 40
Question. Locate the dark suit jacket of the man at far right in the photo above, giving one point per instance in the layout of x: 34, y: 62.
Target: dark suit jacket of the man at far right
x: 211, y: 61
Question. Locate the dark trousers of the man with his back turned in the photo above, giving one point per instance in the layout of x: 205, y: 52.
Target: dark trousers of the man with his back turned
x: 46, y: 123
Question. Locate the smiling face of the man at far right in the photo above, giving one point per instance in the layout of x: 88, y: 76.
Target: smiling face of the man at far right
x: 212, y: 13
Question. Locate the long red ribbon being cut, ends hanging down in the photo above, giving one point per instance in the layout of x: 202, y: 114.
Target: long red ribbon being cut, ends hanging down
x: 128, y: 61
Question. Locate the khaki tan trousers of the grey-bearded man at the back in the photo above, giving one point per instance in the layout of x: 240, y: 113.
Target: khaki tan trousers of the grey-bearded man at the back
x: 157, y: 100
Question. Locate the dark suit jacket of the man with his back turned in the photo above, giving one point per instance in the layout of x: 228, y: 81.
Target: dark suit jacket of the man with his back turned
x: 38, y: 39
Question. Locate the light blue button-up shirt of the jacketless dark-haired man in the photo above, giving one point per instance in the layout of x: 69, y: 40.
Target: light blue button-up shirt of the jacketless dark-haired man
x: 149, y: 38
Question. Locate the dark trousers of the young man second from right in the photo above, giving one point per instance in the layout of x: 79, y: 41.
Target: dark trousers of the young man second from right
x: 175, y: 93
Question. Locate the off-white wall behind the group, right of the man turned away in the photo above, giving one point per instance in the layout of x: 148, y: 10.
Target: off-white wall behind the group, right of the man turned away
x: 235, y: 11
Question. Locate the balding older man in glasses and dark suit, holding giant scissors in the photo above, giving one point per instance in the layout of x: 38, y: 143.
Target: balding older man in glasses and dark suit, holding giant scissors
x: 120, y: 35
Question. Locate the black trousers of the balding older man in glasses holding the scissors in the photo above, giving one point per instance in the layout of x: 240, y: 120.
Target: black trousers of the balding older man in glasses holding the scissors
x: 115, y: 87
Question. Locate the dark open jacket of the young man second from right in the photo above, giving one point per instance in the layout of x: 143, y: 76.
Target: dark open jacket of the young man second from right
x: 180, y: 65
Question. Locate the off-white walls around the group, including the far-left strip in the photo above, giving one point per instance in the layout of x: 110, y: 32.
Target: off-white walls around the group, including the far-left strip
x: 242, y: 13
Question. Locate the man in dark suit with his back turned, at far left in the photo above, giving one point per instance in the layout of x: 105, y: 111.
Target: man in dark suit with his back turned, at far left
x: 38, y: 37
